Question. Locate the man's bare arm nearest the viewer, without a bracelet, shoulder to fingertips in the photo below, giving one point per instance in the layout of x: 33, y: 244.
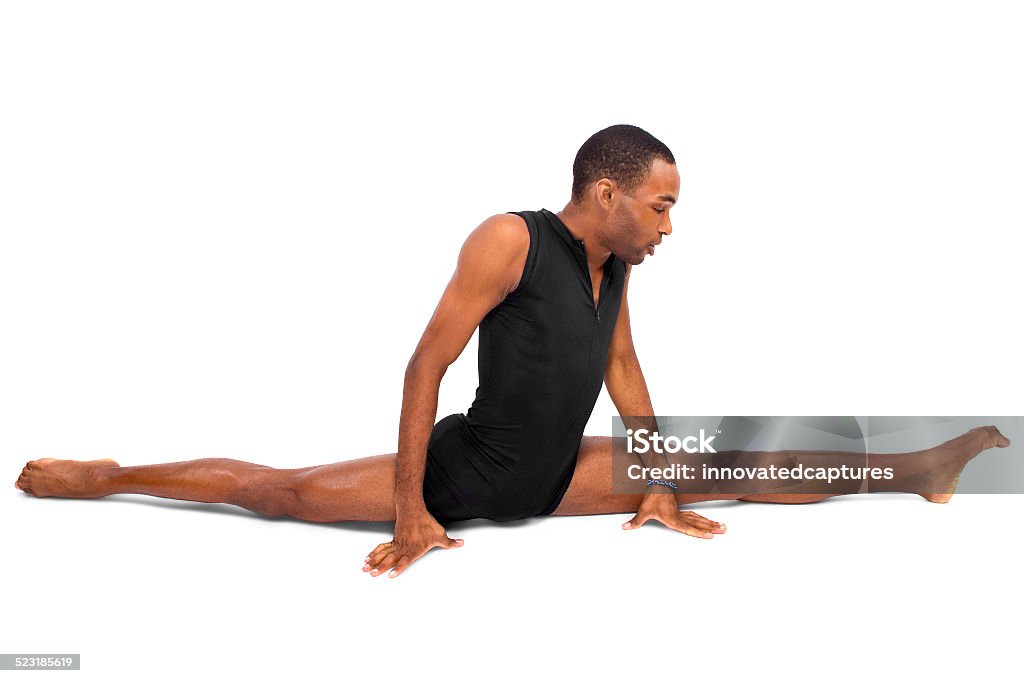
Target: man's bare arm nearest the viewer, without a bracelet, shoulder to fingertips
x: 490, y: 266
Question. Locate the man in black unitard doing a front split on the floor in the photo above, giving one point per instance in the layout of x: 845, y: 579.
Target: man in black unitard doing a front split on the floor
x: 548, y: 292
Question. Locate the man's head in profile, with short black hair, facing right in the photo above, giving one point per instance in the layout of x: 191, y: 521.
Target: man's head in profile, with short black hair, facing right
x: 626, y: 180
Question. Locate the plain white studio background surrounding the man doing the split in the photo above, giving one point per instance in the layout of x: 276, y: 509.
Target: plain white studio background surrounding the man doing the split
x: 227, y: 225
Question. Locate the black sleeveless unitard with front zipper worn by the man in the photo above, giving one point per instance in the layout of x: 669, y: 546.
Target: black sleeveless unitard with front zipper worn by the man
x: 541, y: 364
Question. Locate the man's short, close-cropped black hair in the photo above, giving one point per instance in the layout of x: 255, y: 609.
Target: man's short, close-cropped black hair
x: 622, y: 153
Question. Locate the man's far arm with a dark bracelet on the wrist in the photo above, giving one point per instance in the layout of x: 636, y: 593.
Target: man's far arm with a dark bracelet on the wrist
x: 628, y: 391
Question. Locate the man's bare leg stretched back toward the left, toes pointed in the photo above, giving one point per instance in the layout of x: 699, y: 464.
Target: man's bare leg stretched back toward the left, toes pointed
x: 355, y: 490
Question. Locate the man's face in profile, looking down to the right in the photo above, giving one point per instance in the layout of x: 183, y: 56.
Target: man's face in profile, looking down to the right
x: 638, y: 224
